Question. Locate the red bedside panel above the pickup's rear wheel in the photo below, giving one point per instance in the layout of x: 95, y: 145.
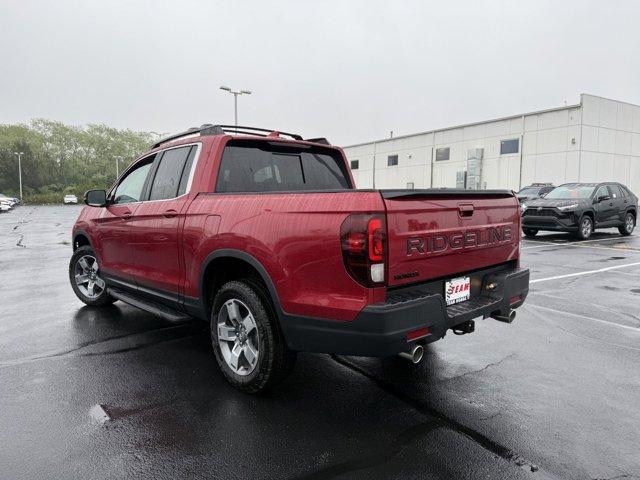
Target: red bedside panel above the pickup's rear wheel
x: 296, y: 238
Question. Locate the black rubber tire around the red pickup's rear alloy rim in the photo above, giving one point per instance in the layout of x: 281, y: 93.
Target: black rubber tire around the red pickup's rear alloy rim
x: 274, y: 360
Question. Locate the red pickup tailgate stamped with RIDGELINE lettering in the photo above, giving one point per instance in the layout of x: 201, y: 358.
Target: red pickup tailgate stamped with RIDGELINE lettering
x: 434, y: 234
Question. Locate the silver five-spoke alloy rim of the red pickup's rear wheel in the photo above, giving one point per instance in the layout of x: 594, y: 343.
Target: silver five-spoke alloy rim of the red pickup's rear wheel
x: 238, y: 337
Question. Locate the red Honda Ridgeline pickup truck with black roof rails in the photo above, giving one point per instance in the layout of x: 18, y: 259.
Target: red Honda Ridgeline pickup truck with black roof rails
x: 264, y: 235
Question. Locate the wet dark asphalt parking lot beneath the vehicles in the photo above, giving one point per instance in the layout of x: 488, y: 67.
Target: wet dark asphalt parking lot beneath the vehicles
x: 554, y: 395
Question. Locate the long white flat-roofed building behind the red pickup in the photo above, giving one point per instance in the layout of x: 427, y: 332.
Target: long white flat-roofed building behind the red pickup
x: 595, y: 141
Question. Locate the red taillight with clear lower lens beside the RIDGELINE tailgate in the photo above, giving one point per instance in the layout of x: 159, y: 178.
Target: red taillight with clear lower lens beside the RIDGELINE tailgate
x: 364, y: 239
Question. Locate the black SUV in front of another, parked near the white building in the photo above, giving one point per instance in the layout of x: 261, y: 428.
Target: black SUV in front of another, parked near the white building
x: 580, y: 208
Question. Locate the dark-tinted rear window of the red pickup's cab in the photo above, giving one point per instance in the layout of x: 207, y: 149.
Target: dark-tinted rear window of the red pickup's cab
x: 267, y: 167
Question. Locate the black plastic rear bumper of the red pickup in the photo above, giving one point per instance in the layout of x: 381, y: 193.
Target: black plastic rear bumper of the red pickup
x: 380, y: 330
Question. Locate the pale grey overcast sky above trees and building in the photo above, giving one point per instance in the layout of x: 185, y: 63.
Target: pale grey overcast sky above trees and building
x: 348, y: 70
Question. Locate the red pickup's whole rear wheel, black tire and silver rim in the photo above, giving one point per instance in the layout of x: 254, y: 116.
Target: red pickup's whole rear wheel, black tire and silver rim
x: 247, y: 341
